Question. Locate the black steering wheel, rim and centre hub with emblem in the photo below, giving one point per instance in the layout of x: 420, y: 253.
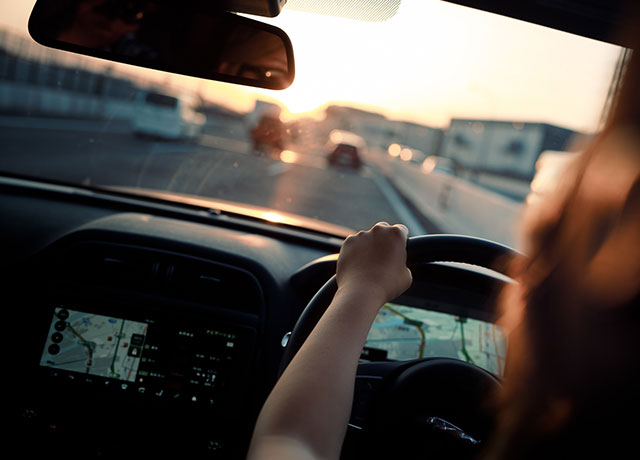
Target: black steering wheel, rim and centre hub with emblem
x: 426, y: 407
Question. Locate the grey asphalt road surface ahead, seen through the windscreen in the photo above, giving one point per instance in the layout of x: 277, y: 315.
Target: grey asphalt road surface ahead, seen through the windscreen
x: 219, y: 165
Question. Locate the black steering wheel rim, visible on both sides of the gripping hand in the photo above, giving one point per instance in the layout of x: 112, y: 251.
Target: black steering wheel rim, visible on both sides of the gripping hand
x: 420, y: 250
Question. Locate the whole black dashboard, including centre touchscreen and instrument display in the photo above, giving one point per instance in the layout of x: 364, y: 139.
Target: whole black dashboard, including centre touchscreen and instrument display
x: 140, y: 329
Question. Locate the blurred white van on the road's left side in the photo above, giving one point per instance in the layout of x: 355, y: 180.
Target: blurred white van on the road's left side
x: 167, y: 117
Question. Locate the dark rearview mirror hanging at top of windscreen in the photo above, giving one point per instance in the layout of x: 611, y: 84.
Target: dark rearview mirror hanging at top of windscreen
x: 171, y: 36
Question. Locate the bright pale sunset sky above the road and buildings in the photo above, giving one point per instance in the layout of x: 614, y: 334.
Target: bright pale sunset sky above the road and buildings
x: 432, y: 61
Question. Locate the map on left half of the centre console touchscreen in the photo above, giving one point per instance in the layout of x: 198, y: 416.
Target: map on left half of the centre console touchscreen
x: 94, y: 344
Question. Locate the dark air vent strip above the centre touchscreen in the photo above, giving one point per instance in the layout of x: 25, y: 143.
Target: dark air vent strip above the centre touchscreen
x: 158, y: 272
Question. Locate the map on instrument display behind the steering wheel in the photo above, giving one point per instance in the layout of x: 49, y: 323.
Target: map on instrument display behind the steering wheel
x: 401, y: 333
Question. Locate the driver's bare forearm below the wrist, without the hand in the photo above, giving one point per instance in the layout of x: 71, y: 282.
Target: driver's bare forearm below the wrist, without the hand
x: 311, y: 402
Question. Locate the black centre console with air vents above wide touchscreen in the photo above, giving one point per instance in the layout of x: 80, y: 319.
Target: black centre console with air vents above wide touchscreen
x: 118, y: 362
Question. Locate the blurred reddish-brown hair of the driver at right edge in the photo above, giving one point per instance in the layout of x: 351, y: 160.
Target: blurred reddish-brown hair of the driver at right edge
x: 571, y: 386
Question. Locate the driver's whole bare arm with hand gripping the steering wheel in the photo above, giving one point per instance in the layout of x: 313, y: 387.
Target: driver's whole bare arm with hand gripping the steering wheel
x: 306, y: 414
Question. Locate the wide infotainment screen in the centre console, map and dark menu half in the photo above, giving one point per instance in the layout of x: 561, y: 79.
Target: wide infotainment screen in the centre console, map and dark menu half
x: 187, y: 360
